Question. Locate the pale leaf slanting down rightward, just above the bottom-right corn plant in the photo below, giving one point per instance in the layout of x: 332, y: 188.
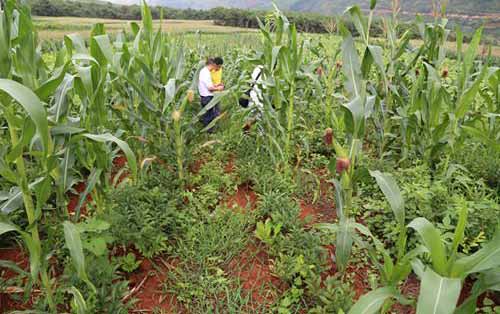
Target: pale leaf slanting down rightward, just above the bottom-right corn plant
x: 391, y: 191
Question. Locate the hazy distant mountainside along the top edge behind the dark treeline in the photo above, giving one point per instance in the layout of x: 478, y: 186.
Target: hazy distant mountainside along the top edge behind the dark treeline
x: 465, y: 7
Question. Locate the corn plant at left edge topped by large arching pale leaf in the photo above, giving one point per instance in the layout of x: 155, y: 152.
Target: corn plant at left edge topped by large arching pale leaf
x: 24, y: 97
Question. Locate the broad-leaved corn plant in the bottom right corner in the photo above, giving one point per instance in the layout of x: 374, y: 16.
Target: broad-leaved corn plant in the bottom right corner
x: 442, y: 280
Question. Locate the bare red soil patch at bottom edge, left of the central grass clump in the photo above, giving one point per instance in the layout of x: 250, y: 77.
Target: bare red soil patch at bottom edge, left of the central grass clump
x: 149, y: 282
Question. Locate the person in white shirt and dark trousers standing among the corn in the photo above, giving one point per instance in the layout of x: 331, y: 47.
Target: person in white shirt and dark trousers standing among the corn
x: 206, y: 89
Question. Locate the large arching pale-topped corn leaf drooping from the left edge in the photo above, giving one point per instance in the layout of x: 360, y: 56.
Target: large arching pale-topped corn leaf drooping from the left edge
x: 30, y: 102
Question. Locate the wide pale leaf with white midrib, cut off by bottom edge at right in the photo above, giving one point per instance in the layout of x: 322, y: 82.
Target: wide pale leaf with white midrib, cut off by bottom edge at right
x: 438, y: 295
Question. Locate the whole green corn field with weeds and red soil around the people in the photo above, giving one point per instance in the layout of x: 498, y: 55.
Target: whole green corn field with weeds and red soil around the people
x: 368, y: 181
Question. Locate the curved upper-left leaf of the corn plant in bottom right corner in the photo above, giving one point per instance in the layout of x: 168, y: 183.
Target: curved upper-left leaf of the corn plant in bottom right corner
x: 431, y: 238
